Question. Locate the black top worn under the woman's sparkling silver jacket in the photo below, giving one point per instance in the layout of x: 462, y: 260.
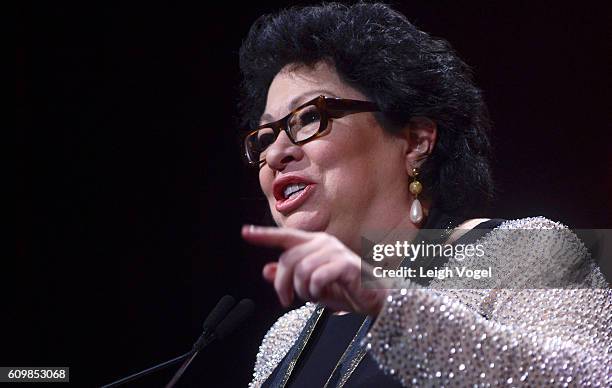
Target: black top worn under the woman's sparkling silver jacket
x: 333, y: 334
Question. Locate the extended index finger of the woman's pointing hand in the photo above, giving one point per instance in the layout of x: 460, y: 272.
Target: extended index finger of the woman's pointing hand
x: 275, y: 237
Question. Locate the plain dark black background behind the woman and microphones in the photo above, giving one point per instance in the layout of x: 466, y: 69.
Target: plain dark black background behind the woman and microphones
x: 131, y: 191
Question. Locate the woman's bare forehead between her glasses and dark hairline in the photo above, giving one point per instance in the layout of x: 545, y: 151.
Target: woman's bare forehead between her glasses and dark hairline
x: 297, y: 84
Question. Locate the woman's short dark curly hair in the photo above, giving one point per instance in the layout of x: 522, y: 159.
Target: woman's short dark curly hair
x: 407, y: 72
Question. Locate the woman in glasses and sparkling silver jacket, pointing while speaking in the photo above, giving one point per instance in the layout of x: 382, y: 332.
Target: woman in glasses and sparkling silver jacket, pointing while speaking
x: 359, y: 123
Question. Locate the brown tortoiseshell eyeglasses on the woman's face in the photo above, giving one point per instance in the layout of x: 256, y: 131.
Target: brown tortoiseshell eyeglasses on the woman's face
x: 303, y: 124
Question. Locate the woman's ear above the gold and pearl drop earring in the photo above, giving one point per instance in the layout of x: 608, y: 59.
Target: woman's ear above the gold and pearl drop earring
x: 422, y: 133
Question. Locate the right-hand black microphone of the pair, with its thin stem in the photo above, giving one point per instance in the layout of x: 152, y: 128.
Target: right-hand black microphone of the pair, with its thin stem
x: 239, y: 314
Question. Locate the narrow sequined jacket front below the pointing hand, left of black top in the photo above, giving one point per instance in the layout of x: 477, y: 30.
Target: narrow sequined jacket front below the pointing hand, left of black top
x: 278, y: 340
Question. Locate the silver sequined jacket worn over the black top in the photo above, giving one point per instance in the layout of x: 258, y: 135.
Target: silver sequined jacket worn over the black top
x: 507, y: 334
